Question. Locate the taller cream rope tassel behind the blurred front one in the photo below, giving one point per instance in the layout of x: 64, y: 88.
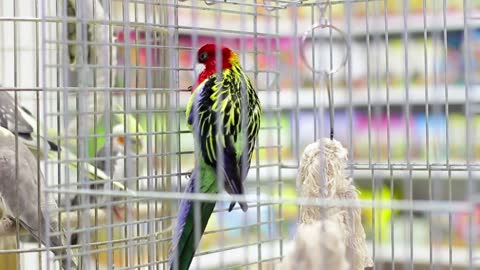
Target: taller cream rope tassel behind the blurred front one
x: 321, y: 175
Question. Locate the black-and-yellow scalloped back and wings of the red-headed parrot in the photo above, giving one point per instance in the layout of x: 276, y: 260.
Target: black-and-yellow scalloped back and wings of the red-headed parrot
x: 233, y: 102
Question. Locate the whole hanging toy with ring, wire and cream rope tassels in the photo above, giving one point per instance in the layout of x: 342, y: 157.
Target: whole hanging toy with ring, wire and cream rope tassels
x: 321, y: 175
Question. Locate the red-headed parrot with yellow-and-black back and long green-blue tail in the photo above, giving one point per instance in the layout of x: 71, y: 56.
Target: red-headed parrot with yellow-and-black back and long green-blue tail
x: 231, y: 102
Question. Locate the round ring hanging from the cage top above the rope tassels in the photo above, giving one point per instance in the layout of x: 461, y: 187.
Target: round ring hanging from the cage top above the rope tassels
x: 309, y: 33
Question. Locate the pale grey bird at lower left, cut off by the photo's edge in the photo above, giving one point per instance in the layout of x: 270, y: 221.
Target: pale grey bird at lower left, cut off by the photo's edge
x: 17, y: 194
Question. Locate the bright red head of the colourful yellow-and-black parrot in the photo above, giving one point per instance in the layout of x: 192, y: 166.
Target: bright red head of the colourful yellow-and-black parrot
x: 207, y: 56
